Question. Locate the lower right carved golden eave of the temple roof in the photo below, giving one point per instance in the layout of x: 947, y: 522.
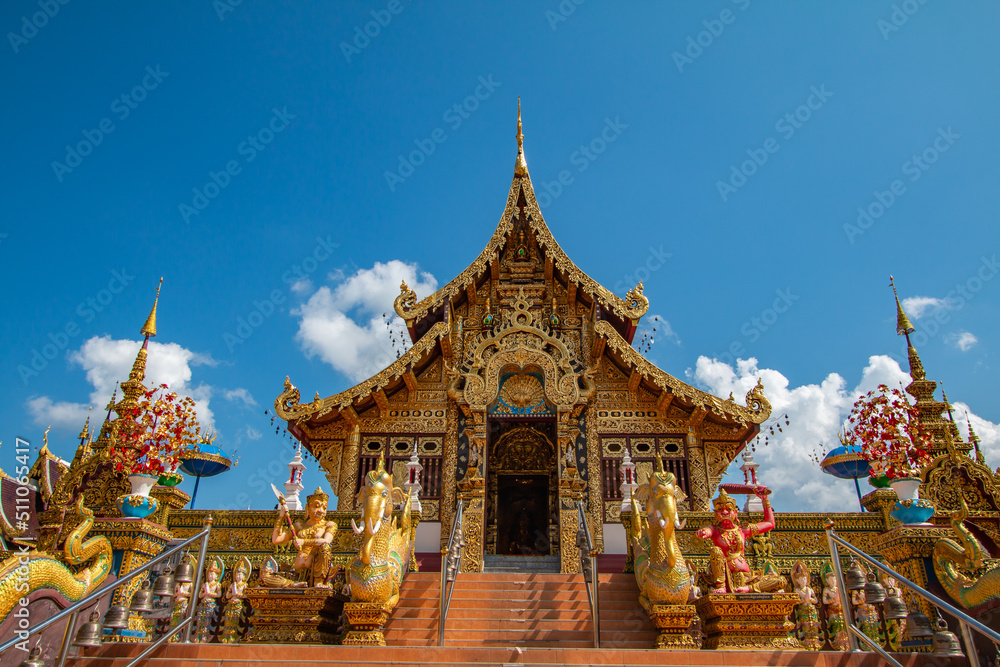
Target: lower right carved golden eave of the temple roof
x: 748, y: 416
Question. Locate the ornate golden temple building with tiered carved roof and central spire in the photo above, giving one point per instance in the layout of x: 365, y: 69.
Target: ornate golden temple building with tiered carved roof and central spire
x: 522, y: 390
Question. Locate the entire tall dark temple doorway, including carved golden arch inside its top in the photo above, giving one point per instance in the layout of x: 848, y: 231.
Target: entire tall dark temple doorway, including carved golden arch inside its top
x: 521, y: 489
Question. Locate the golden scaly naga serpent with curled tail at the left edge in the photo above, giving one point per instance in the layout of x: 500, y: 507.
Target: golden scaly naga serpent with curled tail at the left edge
x: 24, y: 574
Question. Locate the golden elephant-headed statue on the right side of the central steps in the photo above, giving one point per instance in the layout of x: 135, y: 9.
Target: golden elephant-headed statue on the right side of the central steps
x: 660, y: 570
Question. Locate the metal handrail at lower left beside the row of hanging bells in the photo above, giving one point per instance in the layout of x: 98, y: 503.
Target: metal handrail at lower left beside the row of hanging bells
x: 74, y: 609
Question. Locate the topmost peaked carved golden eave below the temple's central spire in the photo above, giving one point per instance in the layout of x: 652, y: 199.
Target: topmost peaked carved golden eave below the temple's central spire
x: 418, y: 316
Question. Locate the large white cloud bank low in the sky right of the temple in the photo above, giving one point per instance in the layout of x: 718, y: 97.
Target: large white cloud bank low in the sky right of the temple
x: 816, y: 412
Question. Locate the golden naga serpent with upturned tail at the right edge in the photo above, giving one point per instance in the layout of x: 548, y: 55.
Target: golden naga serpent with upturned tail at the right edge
x: 951, y: 558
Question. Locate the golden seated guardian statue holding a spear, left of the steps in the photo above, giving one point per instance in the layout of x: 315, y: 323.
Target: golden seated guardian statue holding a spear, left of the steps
x: 311, y: 536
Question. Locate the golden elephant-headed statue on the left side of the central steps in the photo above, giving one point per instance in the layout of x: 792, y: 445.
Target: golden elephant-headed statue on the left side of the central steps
x: 377, y: 571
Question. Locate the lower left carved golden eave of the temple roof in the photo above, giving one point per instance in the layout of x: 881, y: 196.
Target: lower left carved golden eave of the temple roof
x: 372, y: 391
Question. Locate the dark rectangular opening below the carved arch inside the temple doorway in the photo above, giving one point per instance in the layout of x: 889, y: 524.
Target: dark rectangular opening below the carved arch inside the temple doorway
x: 523, y: 522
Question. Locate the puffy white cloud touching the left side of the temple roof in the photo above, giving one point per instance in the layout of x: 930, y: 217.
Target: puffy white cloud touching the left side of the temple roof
x: 344, y: 326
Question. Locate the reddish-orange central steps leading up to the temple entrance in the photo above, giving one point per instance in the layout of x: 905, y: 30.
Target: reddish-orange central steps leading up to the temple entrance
x: 526, y: 609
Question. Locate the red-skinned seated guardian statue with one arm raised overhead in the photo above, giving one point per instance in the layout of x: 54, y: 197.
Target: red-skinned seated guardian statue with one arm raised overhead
x: 729, y: 570
